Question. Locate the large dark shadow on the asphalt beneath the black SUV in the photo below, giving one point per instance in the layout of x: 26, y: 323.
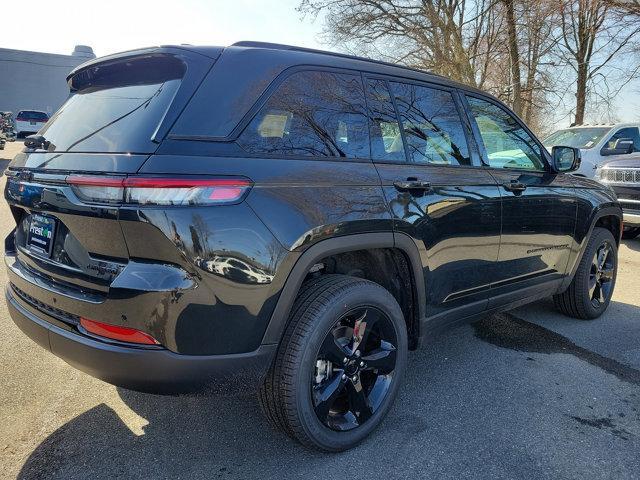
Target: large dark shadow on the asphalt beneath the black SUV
x: 469, y: 408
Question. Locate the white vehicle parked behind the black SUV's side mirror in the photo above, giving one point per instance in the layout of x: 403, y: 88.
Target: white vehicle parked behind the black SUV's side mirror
x: 599, y: 144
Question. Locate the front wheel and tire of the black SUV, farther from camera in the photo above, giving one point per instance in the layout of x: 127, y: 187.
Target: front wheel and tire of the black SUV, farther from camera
x: 589, y: 293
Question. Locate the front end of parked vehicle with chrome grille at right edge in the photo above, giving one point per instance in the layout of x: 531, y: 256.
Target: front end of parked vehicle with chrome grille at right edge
x: 623, y: 176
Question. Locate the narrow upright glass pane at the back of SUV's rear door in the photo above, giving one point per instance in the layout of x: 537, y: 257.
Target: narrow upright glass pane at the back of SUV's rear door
x: 386, y: 139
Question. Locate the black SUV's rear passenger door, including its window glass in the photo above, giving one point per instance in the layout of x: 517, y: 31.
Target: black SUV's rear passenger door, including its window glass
x: 437, y: 193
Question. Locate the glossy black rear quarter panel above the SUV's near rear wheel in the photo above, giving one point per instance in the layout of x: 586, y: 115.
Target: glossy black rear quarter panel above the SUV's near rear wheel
x: 293, y: 205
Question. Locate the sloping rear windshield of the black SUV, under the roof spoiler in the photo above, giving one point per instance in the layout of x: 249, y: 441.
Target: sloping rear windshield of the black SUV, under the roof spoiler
x: 116, y: 107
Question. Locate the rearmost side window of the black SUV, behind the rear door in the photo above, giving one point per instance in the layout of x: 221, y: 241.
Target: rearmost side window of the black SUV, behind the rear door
x: 312, y: 114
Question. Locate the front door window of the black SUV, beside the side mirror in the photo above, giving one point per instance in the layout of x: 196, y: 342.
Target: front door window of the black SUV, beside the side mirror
x: 507, y: 144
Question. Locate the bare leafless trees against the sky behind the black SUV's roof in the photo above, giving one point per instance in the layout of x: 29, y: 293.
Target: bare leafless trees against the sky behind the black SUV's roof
x: 512, y: 48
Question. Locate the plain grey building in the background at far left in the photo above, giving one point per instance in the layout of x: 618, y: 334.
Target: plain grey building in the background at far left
x: 35, y: 80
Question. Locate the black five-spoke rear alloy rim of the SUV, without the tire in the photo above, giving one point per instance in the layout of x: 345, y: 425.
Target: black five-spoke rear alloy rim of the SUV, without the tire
x: 354, y: 368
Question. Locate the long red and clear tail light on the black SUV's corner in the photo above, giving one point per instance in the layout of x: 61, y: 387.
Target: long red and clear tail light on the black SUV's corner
x: 159, y: 191
